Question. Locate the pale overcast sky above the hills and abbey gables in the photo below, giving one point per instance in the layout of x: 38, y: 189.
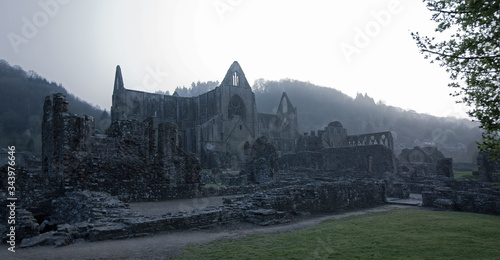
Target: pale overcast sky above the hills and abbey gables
x: 353, y: 46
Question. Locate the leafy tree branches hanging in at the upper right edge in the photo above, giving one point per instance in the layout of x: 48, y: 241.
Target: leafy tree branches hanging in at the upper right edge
x: 472, y: 57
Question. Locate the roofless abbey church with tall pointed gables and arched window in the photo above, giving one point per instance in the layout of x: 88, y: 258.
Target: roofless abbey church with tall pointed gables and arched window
x: 218, y: 126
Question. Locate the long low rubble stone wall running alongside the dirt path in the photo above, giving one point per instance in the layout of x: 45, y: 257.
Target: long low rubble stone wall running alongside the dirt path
x: 99, y: 216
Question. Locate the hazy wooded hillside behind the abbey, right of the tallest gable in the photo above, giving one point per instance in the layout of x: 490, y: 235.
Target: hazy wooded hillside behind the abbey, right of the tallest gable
x: 317, y: 106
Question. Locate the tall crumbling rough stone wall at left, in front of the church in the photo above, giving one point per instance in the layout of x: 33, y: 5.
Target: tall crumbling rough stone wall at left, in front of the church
x: 135, y: 159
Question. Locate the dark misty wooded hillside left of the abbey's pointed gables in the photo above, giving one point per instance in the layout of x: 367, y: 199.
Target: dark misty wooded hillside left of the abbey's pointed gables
x: 21, y: 107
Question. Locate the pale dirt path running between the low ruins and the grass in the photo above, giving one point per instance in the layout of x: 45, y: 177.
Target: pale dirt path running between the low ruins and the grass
x: 167, y: 245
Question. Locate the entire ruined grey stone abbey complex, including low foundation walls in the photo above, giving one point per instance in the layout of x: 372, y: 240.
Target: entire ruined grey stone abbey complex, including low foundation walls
x: 165, y: 147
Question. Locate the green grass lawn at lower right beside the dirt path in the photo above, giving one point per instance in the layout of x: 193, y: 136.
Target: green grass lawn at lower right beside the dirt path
x: 408, y: 234
